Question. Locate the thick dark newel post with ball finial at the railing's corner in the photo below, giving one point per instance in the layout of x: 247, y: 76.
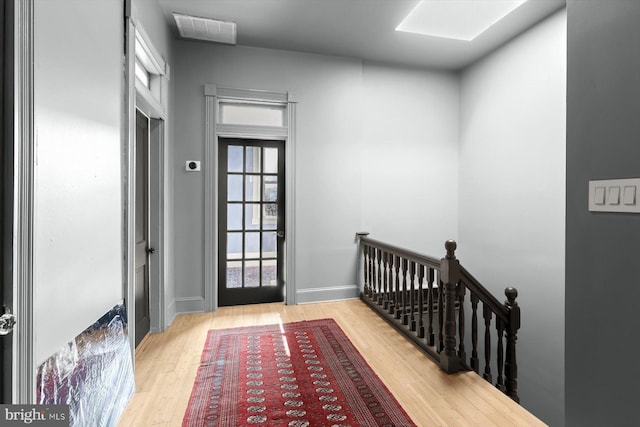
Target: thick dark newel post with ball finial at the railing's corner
x: 450, y: 275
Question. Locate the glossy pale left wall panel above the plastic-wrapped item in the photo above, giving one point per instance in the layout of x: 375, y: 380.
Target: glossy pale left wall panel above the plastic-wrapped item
x: 78, y: 187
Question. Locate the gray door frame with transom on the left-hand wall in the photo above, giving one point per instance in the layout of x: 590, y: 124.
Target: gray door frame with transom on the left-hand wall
x: 153, y: 102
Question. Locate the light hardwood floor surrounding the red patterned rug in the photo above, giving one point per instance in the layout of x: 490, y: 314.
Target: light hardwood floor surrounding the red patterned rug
x: 166, y: 366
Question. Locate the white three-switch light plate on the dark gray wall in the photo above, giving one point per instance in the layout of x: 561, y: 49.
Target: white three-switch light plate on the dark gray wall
x: 614, y: 195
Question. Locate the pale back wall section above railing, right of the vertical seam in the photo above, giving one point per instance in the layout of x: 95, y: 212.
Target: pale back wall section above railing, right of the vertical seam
x: 410, y: 157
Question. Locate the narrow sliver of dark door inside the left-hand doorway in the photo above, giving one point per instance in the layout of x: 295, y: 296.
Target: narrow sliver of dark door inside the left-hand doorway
x: 142, y: 318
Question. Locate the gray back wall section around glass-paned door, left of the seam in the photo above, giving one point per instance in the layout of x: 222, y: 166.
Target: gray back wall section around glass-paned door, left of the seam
x: 328, y: 187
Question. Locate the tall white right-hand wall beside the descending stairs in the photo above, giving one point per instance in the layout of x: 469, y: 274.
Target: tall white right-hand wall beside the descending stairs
x: 512, y: 196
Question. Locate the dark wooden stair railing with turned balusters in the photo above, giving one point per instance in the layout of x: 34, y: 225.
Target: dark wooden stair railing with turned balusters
x: 424, y: 298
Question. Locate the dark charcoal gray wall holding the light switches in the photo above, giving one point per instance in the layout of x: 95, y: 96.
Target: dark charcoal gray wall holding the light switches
x: 602, y: 273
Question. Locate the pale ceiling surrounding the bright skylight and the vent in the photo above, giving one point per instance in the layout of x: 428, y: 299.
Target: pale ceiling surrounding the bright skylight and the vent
x: 355, y: 28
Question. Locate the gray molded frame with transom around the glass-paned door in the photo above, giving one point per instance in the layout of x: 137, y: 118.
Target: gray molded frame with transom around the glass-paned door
x: 214, y: 95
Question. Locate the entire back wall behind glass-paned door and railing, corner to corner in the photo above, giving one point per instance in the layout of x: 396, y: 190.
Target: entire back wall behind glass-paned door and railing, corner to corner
x: 338, y: 149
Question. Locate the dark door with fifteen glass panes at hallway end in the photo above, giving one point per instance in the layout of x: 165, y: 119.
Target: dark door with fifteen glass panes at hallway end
x: 251, y: 221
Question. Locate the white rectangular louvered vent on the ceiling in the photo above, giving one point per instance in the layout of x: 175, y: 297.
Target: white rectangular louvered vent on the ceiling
x: 213, y: 30
